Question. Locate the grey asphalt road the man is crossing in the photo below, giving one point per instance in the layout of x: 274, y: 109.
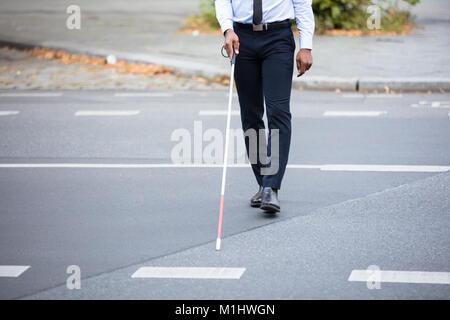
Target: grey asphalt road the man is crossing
x: 94, y: 191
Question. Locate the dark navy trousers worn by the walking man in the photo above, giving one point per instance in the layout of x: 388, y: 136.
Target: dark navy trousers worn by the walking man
x: 263, y: 72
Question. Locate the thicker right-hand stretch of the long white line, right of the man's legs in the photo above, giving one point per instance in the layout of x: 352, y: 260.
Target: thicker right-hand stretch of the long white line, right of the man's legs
x: 383, y: 168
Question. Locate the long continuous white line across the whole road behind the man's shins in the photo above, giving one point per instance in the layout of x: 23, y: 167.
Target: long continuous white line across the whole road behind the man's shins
x: 325, y: 167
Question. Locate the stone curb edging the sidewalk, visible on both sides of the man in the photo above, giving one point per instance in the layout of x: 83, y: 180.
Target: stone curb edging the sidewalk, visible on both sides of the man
x: 194, y: 68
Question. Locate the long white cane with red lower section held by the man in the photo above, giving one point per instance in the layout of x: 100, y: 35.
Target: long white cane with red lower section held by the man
x: 225, y: 157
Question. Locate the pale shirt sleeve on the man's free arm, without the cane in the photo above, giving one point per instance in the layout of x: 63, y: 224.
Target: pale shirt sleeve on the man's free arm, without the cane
x: 305, y: 22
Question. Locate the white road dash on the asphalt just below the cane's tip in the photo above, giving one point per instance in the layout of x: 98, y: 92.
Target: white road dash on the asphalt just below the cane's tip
x: 189, y: 273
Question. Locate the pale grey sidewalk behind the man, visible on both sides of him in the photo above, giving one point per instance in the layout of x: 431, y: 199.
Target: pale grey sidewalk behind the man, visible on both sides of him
x: 146, y: 32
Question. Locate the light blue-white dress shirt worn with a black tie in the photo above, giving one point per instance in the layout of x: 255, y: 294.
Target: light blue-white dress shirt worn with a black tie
x: 229, y: 11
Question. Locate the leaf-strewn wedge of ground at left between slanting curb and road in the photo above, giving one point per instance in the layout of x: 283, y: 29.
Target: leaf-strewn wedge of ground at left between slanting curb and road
x: 24, y: 71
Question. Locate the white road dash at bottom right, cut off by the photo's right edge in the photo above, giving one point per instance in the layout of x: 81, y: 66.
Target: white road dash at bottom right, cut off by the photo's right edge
x: 400, y: 276
